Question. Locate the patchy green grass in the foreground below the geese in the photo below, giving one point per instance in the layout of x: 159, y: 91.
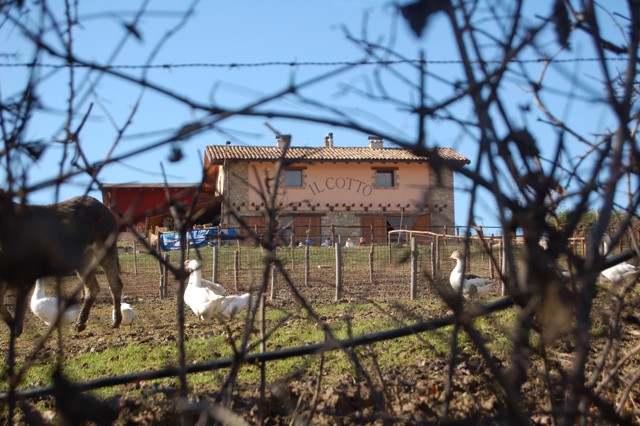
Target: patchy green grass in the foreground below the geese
x: 151, y: 343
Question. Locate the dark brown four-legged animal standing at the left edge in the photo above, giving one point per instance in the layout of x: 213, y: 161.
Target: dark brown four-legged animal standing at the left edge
x: 55, y: 240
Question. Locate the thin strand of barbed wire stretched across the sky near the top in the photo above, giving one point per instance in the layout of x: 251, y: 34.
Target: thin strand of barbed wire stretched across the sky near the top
x: 297, y: 64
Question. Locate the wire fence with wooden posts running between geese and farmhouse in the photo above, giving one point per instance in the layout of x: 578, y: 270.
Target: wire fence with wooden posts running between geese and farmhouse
x: 378, y: 272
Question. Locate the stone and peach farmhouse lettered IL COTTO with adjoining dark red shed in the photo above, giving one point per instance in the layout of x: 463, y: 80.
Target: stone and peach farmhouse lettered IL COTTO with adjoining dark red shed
x: 323, y: 191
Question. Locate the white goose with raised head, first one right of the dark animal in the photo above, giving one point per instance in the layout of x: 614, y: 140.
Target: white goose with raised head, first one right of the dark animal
x: 206, y: 299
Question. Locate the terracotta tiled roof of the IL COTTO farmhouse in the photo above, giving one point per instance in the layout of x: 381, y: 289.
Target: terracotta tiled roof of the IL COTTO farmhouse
x: 218, y: 153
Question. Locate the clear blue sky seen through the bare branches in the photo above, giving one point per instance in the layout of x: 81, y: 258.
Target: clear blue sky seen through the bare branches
x: 258, y: 32
